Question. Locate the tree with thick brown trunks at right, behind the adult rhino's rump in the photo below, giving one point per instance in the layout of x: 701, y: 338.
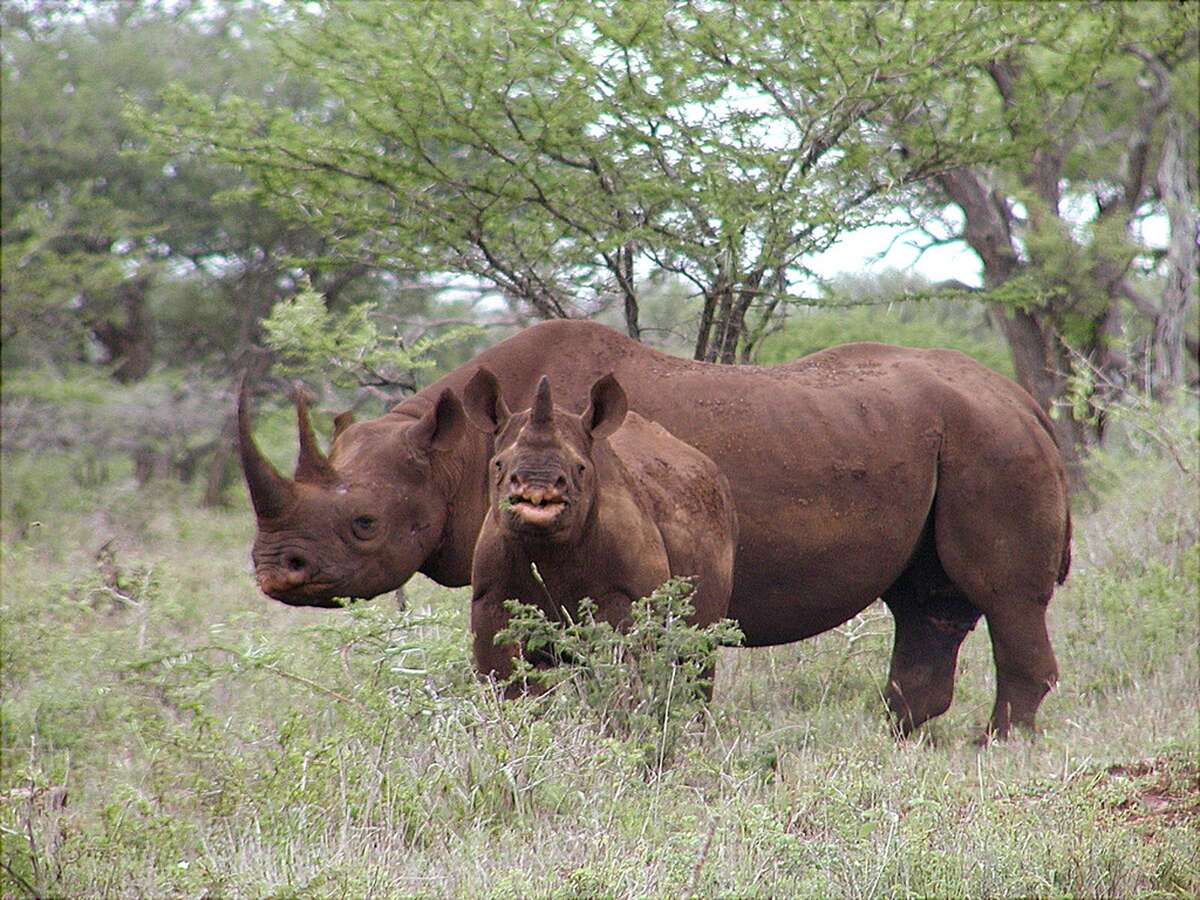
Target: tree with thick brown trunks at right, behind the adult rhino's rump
x: 1091, y: 115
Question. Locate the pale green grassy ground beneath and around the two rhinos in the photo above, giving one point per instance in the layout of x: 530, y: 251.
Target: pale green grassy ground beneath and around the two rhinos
x: 169, y: 731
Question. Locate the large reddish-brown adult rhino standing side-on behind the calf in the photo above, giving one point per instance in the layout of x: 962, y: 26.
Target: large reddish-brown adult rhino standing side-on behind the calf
x: 860, y: 472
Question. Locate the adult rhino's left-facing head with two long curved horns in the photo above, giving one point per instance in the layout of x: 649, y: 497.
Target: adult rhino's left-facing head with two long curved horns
x: 361, y: 521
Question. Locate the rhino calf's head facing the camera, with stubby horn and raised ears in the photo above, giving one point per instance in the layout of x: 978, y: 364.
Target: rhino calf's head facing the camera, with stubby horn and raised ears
x: 543, y: 479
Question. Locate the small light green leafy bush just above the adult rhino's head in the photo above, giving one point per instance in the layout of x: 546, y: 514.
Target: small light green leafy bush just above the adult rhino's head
x: 349, y: 347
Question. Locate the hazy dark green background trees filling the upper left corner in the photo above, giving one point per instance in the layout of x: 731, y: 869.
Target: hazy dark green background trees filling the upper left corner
x: 115, y: 255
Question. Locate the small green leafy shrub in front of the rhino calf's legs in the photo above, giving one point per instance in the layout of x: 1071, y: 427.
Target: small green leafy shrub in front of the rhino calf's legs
x: 646, y: 683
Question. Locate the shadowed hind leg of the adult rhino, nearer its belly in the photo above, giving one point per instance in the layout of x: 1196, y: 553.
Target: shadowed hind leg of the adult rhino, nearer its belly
x: 932, y: 617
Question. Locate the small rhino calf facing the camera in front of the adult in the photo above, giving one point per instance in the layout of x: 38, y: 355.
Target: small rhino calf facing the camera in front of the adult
x: 607, y: 506
